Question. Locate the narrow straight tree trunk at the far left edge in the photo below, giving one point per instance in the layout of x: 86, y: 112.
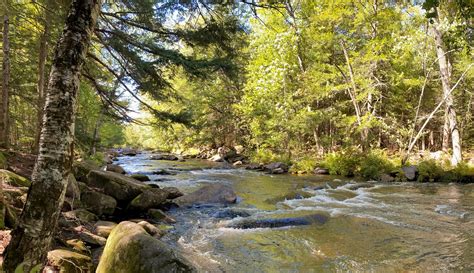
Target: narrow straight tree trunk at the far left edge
x: 4, y: 115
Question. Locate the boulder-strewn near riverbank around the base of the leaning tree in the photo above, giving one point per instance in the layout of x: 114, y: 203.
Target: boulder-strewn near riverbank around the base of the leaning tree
x: 109, y: 220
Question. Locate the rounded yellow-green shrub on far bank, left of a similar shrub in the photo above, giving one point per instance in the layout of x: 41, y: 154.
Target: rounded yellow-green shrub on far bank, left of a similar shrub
x: 345, y: 162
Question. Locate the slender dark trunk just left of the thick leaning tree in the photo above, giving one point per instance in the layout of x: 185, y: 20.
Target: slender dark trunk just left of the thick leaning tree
x: 41, y: 84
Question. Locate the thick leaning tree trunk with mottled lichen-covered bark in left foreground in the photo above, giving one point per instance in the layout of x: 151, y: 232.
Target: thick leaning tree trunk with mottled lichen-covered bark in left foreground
x: 31, y: 239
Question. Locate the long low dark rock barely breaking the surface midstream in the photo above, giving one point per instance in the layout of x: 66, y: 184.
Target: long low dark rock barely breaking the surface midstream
x: 281, y: 222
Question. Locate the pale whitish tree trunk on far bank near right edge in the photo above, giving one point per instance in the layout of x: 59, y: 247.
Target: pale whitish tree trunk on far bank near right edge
x: 445, y: 73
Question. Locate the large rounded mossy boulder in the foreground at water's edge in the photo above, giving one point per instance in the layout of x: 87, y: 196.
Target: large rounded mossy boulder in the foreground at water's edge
x: 130, y: 249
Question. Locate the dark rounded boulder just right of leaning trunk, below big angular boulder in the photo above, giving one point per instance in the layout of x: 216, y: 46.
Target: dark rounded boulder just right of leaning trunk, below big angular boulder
x: 98, y: 203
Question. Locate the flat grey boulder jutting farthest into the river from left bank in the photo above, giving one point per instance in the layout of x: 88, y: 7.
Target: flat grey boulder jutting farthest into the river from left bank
x: 210, y: 194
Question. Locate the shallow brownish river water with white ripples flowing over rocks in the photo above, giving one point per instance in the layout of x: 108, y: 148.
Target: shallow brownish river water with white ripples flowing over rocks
x: 372, y: 227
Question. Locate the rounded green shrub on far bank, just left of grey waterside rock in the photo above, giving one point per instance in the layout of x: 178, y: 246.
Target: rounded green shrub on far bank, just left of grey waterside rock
x: 374, y: 164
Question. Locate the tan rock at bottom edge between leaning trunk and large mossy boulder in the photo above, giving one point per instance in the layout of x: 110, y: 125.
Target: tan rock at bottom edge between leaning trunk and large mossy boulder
x: 69, y: 261
